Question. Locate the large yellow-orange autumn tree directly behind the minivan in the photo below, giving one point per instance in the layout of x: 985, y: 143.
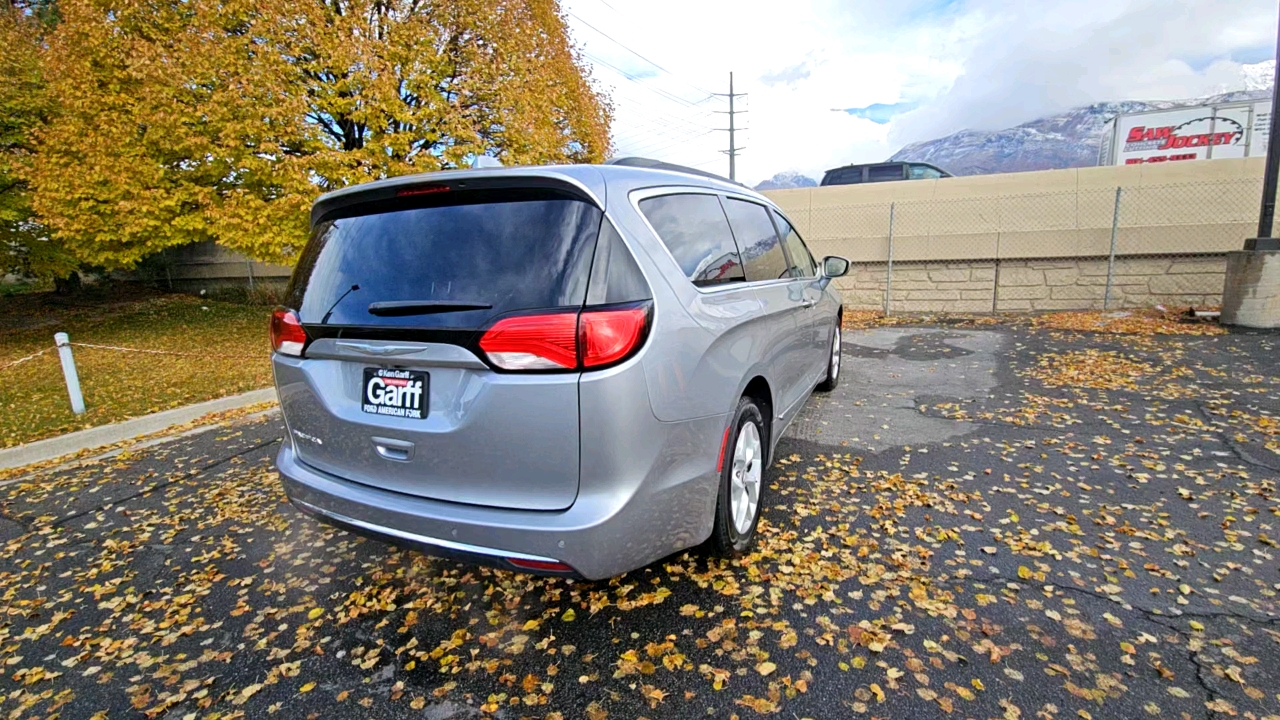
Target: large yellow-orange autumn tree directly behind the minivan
x: 222, y: 120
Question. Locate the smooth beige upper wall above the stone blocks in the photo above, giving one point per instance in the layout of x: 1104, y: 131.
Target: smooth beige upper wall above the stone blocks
x: 1182, y: 208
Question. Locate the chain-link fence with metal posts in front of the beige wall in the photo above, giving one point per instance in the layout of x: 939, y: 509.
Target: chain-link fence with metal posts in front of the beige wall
x: 1091, y: 248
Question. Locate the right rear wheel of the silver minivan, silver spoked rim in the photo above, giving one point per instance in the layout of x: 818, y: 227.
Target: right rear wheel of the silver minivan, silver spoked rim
x: 735, y: 526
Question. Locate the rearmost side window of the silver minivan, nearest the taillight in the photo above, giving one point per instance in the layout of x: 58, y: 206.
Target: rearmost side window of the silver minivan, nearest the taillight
x: 696, y: 231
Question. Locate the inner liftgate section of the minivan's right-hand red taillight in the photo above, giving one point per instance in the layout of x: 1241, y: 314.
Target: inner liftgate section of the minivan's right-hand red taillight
x: 533, y: 343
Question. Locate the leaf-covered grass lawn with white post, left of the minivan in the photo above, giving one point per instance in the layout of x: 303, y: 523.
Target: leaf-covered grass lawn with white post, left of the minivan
x: 230, y: 344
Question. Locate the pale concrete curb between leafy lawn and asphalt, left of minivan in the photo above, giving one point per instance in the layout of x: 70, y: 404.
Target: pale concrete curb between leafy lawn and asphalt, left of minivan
x: 68, y: 444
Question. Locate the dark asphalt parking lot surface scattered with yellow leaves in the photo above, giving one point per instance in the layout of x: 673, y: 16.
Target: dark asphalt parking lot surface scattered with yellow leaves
x: 979, y: 523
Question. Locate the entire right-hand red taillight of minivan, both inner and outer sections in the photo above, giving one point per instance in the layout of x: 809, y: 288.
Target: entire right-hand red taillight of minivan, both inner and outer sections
x: 566, y: 341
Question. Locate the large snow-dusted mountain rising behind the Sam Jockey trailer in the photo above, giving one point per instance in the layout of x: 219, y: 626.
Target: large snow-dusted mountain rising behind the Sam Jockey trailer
x: 1067, y: 140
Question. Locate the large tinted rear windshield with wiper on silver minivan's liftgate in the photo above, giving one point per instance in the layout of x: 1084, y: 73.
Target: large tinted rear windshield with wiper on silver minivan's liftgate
x: 504, y: 252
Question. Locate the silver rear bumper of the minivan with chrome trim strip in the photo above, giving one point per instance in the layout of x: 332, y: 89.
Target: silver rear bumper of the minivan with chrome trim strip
x: 611, y: 528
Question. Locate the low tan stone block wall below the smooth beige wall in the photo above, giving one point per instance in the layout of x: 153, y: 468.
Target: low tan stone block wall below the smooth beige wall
x: 1013, y: 286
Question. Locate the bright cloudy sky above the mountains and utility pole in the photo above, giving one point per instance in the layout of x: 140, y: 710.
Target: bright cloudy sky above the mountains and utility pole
x: 893, y: 72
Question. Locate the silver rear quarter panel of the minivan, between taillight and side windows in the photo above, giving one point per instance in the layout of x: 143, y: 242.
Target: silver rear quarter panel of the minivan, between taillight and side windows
x: 705, y: 347
